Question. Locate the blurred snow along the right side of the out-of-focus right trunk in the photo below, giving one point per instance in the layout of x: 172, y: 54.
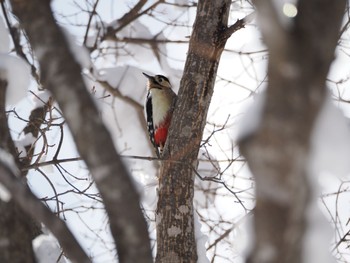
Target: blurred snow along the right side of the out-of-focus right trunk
x: 330, y: 149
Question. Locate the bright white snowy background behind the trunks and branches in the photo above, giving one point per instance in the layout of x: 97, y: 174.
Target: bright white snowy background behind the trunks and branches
x: 242, y: 73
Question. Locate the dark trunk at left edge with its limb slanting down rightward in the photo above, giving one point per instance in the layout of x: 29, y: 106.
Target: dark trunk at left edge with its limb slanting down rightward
x: 17, y: 225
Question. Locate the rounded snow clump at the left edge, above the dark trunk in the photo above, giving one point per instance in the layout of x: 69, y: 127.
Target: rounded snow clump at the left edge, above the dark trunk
x: 17, y: 74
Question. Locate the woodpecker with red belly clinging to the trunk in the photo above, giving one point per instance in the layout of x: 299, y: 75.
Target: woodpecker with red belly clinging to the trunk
x: 160, y: 103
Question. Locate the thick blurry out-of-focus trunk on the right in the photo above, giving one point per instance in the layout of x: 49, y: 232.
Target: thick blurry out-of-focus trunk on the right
x: 277, y: 152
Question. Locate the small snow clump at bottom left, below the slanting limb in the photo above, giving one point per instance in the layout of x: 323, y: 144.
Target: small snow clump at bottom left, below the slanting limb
x: 46, y: 249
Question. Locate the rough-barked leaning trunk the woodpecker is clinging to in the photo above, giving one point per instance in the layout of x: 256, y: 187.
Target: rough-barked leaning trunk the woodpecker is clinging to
x: 175, y: 229
